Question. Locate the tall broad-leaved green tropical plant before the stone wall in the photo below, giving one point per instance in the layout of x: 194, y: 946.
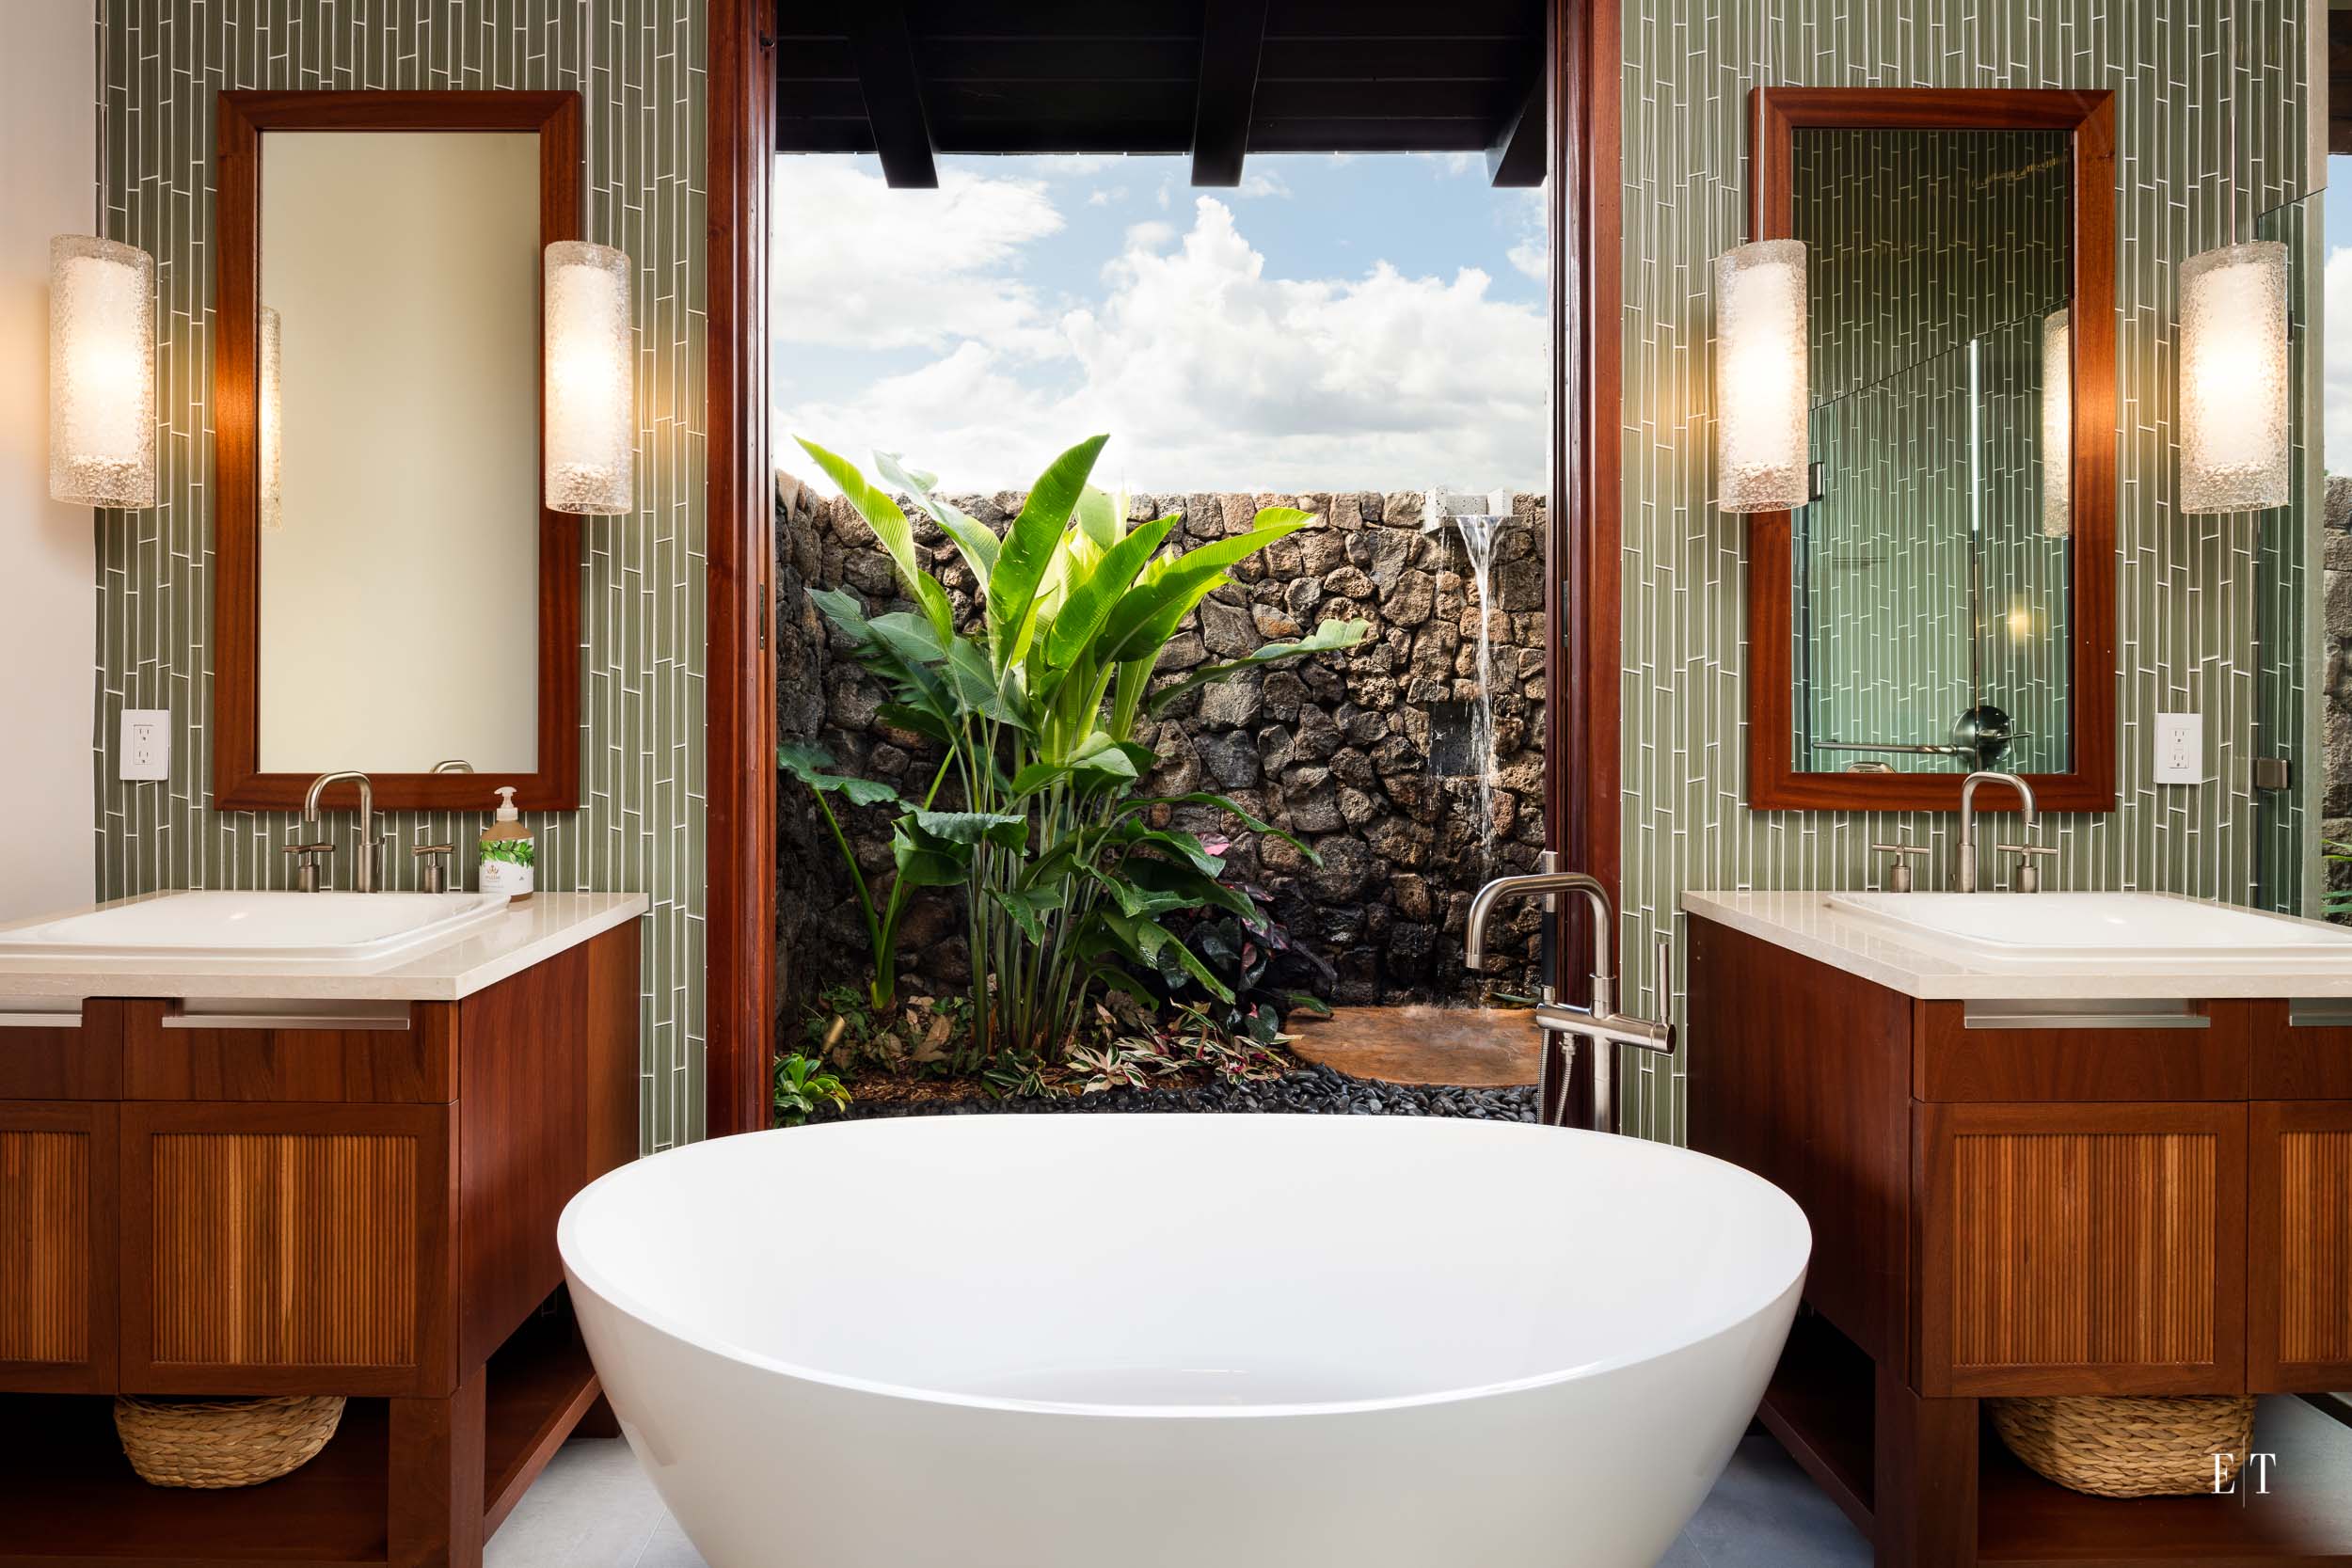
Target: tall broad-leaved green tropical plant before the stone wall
x: 1067, y: 880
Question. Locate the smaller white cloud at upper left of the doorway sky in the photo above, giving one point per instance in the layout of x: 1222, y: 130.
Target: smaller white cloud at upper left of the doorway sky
x: 857, y: 264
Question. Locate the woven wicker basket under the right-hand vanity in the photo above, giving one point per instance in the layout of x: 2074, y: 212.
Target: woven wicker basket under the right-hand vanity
x: 2130, y: 1447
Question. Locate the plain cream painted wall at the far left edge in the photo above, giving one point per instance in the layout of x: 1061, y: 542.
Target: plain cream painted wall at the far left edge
x: 48, y: 605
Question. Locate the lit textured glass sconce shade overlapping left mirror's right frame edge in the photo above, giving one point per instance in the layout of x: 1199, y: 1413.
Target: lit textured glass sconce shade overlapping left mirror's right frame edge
x: 592, y: 382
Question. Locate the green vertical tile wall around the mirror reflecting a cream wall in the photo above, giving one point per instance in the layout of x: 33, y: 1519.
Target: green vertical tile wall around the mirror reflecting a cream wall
x: 641, y: 826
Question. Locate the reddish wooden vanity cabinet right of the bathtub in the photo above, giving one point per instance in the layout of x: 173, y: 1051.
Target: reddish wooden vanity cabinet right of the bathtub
x: 2144, y: 1207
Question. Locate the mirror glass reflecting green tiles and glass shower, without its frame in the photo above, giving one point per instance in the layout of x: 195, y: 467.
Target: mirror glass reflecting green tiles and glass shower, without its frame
x: 1932, y: 570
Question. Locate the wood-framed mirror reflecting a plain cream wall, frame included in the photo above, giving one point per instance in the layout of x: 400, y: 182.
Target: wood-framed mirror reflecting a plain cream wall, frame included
x: 389, y: 589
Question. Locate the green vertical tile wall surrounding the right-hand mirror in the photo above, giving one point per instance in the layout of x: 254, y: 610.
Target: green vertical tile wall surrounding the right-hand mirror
x: 2189, y: 629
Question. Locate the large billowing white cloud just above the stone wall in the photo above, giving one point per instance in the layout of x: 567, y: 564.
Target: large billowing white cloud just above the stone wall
x: 1210, y: 375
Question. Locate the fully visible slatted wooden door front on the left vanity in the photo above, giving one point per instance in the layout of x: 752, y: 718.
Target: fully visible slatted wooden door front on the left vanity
x: 288, y: 1249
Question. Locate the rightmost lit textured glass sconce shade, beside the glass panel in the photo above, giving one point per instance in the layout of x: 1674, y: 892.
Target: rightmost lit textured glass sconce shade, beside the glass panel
x: 2233, y: 380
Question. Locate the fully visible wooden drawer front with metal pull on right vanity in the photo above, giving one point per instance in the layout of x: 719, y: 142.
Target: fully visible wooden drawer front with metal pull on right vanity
x: 2083, y: 1054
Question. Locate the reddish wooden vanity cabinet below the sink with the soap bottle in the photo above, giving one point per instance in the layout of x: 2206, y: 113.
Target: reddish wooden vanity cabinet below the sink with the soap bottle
x: 354, y: 1205
